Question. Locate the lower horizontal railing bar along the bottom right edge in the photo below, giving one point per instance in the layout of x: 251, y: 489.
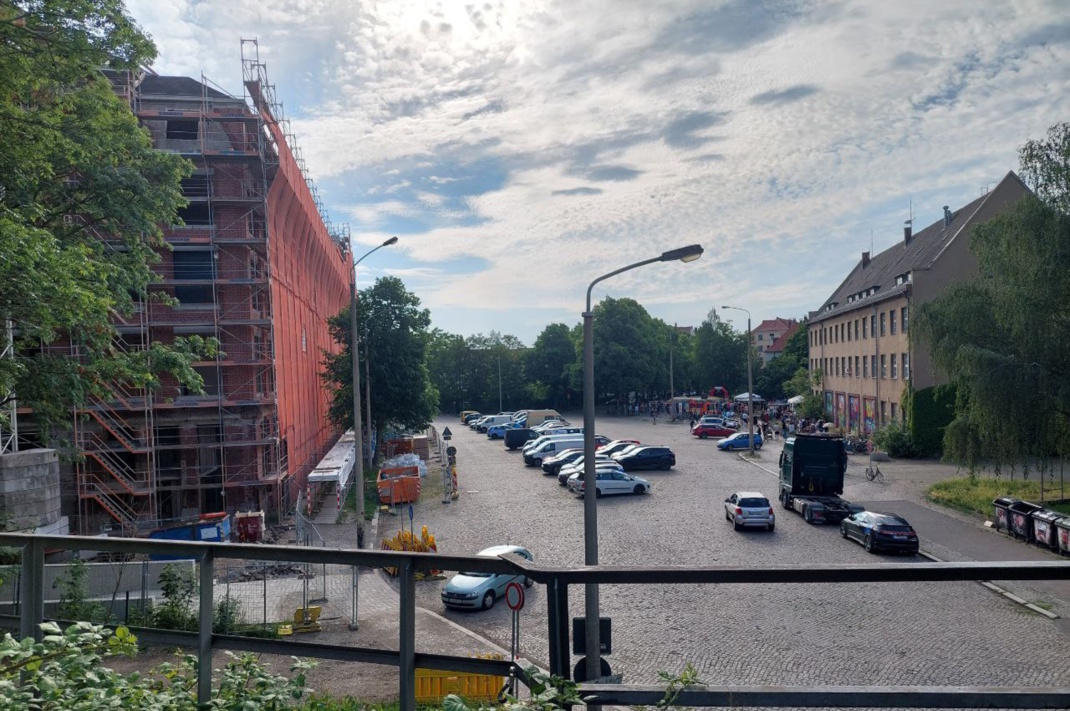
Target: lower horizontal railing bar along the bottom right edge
x: 875, y: 698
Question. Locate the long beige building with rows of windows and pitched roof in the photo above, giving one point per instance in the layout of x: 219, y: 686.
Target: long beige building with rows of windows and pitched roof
x: 860, y: 340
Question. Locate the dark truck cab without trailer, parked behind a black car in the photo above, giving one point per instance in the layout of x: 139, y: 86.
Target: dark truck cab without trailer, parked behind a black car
x: 813, y: 468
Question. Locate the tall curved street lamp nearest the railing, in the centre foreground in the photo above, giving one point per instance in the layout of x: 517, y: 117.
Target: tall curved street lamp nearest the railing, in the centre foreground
x: 690, y: 253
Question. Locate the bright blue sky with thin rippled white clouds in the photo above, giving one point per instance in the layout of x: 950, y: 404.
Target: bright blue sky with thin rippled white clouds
x: 521, y: 150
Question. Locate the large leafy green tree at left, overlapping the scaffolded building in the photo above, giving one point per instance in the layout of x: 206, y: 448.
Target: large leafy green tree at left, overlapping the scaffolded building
x: 83, y: 195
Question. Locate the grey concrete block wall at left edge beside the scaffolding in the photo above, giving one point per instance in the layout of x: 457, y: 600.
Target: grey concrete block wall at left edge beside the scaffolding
x: 30, y: 489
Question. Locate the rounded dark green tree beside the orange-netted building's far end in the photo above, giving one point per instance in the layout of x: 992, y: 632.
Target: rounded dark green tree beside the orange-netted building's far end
x: 394, y: 335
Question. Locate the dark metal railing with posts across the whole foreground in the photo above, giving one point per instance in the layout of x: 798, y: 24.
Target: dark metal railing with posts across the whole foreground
x: 557, y: 582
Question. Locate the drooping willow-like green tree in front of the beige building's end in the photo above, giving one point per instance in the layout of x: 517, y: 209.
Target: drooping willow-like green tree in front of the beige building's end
x: 1000, y: 340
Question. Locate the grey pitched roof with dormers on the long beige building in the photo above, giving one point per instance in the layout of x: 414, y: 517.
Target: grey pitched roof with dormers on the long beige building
x: 901, y: 259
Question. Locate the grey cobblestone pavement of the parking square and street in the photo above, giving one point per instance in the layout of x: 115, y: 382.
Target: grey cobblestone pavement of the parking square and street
x: 901, y: 634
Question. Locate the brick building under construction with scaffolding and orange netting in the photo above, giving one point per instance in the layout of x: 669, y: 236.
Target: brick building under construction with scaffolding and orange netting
x: 256, y: 265
